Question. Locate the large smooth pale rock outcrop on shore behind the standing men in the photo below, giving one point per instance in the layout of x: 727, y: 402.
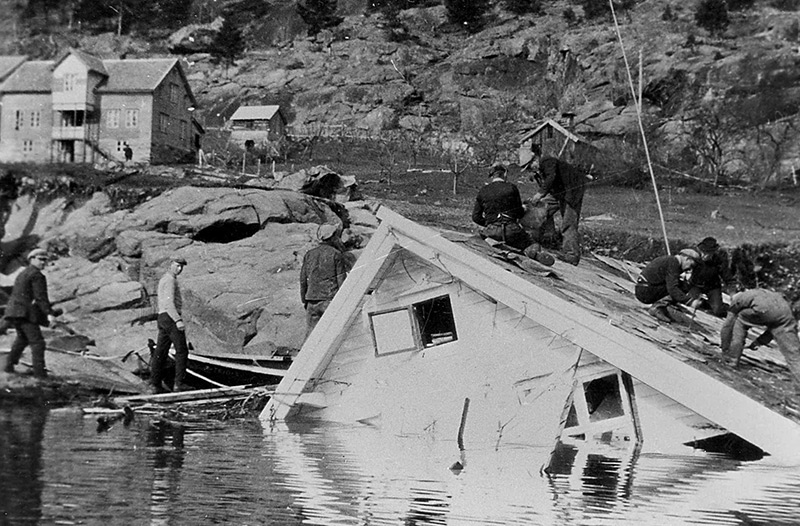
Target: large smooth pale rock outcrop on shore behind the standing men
x: 240, y: 288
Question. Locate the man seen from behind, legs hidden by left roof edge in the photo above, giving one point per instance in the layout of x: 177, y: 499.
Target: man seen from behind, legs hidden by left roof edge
x: 323, y: 271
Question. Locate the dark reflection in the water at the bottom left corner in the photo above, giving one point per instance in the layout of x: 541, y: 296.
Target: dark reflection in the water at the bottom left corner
x: 21, y: 431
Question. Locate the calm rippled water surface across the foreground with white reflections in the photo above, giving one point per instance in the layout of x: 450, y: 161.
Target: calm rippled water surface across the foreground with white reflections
x: 56, y: 468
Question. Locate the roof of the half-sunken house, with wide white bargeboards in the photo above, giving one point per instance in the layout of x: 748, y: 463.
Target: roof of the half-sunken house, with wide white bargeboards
x: 591, y: 305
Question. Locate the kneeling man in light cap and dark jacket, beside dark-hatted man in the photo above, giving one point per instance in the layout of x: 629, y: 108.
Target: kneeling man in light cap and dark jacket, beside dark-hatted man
x: 659, y: 284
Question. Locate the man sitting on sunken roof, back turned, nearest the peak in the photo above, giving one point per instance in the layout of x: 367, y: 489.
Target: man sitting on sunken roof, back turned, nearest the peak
x: 498, y: 209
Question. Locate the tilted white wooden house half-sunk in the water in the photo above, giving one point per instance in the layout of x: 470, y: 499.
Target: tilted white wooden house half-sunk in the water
x: 441, y: 335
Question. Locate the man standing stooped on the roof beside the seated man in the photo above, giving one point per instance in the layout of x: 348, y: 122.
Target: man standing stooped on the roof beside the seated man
x: 566, y: 185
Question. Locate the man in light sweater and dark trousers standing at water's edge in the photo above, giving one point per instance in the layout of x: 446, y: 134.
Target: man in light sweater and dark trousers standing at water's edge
x: 171, y: 330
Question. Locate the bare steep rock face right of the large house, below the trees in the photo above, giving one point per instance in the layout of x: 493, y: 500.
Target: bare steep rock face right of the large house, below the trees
x: 449, y: 83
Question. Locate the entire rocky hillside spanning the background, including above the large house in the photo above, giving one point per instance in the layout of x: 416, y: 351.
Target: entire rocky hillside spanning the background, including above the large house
x: 721, y: 107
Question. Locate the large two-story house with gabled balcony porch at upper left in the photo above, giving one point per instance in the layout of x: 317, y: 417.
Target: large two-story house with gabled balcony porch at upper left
x: 81, y: 108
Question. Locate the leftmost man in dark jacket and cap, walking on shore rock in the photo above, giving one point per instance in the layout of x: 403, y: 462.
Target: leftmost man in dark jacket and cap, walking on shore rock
x: 29, y: 308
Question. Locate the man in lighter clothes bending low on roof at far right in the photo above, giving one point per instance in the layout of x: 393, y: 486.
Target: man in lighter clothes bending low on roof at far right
x: 762, y: 308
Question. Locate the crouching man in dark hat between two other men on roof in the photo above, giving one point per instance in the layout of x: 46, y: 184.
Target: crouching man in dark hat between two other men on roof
x: 710, y: 273
